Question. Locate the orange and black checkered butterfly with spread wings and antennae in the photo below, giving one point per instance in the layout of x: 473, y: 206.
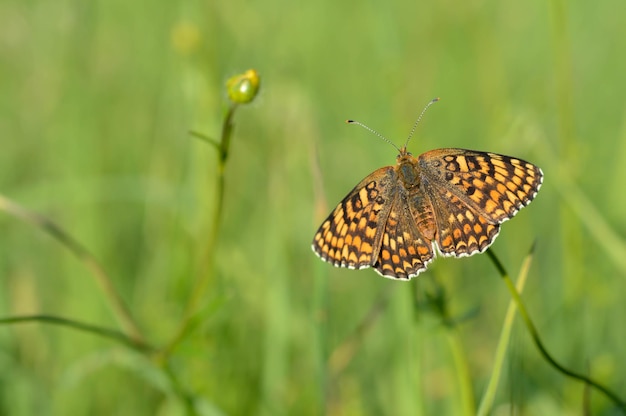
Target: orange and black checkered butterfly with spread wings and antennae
x: 446, y: 201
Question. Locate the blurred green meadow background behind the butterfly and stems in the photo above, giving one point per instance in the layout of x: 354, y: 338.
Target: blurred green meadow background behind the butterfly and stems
x: 96, y: 103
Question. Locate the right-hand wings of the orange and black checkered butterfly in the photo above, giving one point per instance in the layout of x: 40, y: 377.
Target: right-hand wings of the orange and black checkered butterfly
x: 473, y: 192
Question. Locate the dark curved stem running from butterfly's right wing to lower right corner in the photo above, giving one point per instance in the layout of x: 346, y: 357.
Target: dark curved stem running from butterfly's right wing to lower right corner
x: 537, y: 340
